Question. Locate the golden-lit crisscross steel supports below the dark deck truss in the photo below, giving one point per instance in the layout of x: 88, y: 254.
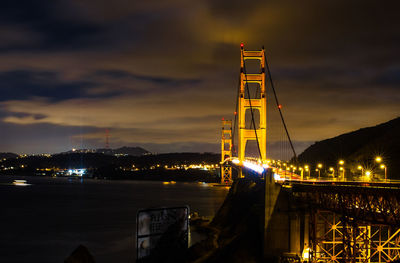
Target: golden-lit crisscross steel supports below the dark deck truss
x: 335, y: 238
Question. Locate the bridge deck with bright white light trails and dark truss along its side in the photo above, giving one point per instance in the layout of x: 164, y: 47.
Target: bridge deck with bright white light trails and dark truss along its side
x: 373, y: 202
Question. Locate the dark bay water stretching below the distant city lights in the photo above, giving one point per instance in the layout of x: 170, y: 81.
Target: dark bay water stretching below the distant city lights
x: 47, y: 220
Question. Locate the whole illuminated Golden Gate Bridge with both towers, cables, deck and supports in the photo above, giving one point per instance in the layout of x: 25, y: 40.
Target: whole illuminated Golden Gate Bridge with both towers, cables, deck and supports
x: 326, y: 218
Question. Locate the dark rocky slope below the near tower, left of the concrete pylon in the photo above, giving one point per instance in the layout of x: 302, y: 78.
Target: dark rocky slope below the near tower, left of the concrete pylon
x: 236, y: 233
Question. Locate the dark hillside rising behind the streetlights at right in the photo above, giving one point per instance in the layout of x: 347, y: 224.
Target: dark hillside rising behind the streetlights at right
x: 360, y: 148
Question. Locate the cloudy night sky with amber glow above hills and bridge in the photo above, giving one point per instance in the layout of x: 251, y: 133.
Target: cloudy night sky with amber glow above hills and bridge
x: 161, y: 74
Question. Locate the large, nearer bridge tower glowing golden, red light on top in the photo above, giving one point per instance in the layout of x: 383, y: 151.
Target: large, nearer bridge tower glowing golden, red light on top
x: 252, y: 104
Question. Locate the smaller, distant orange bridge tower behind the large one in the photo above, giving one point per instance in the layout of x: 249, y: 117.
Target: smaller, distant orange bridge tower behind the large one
x: 226, y: 152
